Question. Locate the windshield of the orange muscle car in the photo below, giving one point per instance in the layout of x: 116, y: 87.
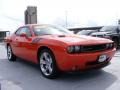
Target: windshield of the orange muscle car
x: 50, y: 30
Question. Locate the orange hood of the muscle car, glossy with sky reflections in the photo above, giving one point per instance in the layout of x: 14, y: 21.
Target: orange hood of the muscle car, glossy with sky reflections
x: 76, y: 39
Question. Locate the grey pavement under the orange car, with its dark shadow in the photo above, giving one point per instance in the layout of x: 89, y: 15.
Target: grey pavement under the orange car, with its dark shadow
x: 21, y: 75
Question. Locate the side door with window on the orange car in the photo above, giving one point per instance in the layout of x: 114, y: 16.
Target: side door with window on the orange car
x: 23, y: 43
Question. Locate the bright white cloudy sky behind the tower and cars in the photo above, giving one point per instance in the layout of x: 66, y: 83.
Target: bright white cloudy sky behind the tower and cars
x: 76, y: 13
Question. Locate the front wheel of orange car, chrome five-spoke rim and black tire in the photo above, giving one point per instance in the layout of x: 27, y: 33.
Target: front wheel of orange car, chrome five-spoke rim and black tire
x: 47, y: 64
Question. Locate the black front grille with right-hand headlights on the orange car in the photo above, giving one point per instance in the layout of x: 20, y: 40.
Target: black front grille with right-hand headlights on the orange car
x: 95, y: 48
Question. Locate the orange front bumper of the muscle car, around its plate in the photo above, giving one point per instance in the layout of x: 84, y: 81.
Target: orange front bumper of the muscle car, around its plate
x: 83, y: 61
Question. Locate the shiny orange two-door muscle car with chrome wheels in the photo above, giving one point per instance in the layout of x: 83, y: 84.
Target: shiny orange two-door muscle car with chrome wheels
x: 56, y: 49
